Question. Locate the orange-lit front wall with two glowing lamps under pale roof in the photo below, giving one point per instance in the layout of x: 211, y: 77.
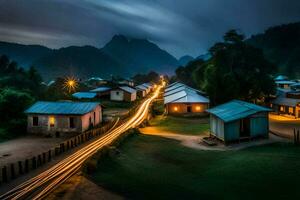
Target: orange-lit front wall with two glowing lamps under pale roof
x: 183, y: 108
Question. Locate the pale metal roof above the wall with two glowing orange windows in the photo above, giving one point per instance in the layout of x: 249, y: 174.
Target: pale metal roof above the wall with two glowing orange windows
x: 185, y: 96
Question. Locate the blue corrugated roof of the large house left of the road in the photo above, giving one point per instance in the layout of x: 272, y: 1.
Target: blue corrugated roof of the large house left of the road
x: 62, y: 108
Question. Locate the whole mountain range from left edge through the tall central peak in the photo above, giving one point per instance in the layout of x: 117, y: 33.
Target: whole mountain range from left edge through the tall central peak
x: 120, y: 56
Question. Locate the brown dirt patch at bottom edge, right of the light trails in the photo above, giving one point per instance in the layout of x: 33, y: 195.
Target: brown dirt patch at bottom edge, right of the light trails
x: 78, y: 187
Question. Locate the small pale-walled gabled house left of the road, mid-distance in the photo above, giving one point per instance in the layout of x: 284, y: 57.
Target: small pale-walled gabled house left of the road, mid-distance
x: 123, y: 93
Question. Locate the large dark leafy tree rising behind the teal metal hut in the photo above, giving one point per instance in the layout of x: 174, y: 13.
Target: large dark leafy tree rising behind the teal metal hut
x: 233, y: 71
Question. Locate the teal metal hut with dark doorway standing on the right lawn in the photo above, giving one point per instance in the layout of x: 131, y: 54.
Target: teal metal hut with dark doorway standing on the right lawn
x: 238, y: 120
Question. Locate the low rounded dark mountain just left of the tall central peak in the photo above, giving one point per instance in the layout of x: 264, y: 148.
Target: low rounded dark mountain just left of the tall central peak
x: 76, y: 61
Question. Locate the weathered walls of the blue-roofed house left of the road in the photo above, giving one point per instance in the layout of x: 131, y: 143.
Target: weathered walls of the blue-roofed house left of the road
x: 62, y: 123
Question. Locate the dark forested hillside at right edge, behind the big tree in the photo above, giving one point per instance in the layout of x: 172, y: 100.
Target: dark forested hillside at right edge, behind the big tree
x: 281, y: 45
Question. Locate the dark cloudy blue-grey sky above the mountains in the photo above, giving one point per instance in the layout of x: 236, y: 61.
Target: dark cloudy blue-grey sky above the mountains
x: 178, y: 26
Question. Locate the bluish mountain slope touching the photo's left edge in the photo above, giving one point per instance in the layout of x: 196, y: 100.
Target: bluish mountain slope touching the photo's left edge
x: 24, y: 54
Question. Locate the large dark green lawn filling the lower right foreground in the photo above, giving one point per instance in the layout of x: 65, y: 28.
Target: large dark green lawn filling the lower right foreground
x: 150, y: 167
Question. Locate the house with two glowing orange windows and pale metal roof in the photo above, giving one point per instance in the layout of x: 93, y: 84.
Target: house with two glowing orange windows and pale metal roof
x: 185, y: 101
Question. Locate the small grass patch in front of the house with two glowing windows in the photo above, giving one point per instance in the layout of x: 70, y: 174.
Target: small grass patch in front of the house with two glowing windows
x: 180, y: 125
